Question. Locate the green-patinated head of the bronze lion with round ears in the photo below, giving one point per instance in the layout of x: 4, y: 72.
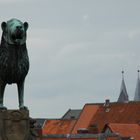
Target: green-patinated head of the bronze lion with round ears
x: 14, y: 31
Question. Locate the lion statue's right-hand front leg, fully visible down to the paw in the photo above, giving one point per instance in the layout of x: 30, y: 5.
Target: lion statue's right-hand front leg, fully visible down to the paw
x: 21, y: 95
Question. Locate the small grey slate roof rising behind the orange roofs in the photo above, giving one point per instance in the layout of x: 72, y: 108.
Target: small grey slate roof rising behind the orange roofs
x: 72, y: 114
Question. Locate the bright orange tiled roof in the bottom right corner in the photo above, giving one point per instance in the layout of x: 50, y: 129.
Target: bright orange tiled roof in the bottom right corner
x: 126, y: 130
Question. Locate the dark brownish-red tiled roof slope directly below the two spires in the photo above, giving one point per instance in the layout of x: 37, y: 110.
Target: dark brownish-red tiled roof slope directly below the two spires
x: 116, y: 113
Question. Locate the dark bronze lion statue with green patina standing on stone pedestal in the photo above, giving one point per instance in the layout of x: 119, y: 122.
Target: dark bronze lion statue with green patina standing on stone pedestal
x: 14, y: 61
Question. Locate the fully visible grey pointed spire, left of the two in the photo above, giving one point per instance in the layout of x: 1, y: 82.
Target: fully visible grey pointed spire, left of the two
x: 123, y: 97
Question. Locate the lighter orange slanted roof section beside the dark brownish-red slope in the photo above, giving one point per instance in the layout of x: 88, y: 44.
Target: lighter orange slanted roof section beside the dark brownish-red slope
x: 86, y: 116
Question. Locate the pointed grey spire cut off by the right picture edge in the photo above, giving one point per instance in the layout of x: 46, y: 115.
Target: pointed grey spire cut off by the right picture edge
x: 137, y: 91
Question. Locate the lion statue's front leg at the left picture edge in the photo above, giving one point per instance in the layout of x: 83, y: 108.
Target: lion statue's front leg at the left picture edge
x: 2, y: 88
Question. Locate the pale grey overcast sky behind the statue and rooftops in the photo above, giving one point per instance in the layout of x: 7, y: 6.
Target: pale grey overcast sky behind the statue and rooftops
x: 77, y: 50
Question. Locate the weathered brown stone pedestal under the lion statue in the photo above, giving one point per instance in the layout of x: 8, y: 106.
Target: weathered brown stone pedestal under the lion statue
x: 16, y: 125
